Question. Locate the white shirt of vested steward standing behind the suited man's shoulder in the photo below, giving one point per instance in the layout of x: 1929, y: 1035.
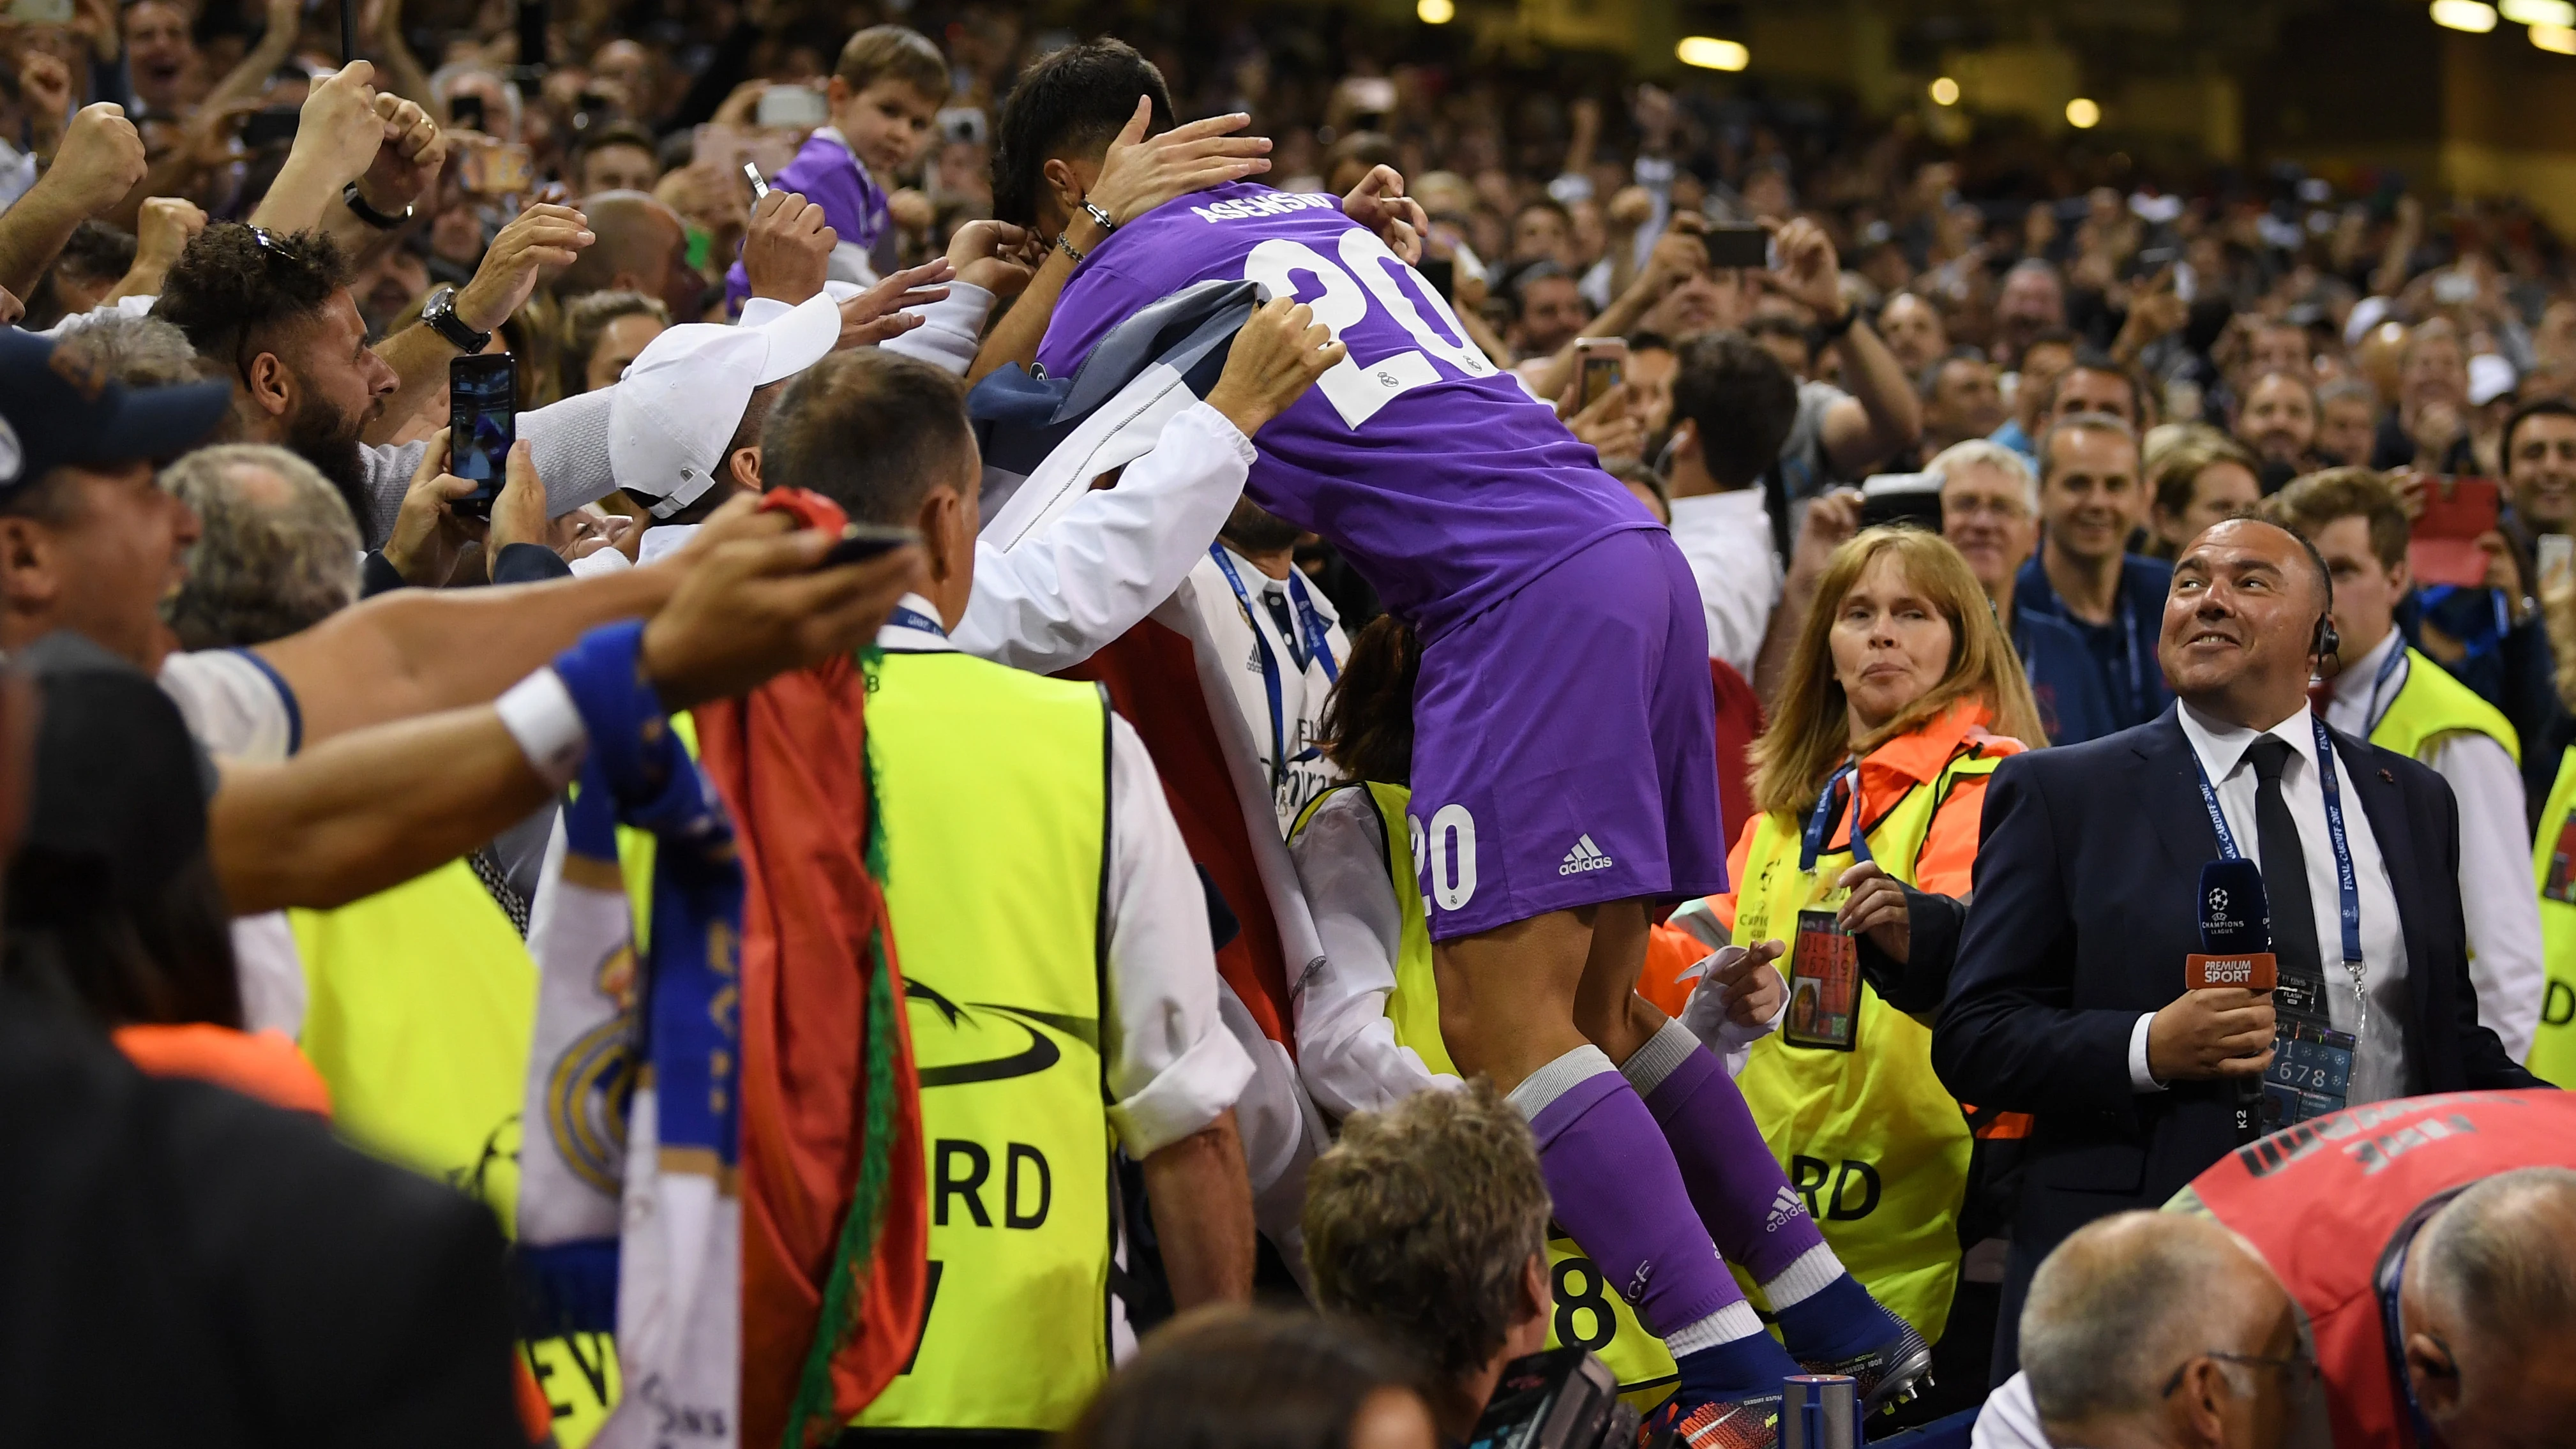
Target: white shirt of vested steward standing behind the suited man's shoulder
x: 2495, y: 848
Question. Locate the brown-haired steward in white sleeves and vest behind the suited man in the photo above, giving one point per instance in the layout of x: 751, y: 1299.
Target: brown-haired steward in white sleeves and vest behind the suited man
x: 2405, y: 701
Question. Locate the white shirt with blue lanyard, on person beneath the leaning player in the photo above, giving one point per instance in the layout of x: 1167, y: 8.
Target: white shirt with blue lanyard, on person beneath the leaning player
x: 1251, y: 640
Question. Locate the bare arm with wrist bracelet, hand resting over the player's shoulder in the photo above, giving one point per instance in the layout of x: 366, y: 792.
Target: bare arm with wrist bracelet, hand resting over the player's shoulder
x: 1137, y: 174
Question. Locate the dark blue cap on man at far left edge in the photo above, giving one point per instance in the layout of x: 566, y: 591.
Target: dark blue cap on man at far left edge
x: 61, y: 413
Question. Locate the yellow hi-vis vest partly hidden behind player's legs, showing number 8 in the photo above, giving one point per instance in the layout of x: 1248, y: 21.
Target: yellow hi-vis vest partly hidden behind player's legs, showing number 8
x: 1588, y: 1309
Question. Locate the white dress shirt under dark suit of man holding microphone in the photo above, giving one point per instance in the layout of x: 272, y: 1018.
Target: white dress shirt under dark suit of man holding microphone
x: 2379, y: 1062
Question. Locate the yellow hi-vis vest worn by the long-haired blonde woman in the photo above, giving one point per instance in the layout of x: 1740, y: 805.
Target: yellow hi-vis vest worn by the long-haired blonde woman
x: 1871, y: 1139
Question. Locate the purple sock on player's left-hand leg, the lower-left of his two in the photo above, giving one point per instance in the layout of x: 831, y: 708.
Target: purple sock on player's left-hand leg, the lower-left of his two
x: 1619, y: 1195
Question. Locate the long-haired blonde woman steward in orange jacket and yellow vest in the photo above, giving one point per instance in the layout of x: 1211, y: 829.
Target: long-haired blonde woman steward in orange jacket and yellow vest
x: 1900, y: 701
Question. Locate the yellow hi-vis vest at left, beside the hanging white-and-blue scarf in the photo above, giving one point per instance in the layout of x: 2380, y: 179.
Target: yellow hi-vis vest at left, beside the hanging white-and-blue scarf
x: 421, y: 1002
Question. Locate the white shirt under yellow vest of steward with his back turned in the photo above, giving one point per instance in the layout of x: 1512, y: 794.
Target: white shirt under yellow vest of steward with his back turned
x: 1173, y: 1062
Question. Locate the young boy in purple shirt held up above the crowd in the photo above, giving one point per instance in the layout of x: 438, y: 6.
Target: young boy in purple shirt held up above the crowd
x: 882, y: 102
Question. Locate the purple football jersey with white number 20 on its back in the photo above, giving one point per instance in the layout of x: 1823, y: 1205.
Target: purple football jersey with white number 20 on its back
x: 1444, y: 483
